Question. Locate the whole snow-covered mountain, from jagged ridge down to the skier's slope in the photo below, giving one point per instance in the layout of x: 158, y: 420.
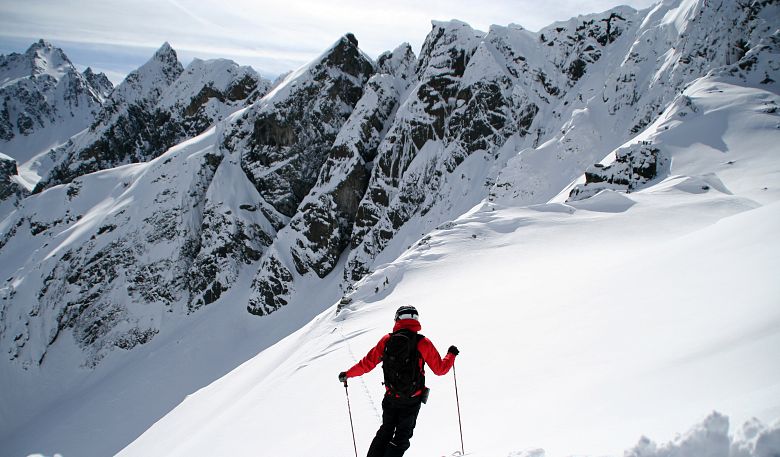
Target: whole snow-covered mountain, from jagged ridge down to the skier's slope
x: 204, y: 216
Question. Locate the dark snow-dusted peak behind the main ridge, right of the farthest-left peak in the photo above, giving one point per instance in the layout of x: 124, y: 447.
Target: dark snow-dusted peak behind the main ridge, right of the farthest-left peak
x: 157, y: 106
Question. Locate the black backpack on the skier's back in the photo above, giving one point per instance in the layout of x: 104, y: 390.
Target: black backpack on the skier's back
x: 401, y: 364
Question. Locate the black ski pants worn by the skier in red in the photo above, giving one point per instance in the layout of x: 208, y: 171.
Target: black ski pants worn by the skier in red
x: 398, y: 420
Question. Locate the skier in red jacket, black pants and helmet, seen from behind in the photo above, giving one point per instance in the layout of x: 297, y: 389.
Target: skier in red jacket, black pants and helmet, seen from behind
x: 402, y: 354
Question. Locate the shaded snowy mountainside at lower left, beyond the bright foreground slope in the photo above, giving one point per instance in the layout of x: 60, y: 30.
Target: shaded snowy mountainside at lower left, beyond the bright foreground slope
x: 49, y: 406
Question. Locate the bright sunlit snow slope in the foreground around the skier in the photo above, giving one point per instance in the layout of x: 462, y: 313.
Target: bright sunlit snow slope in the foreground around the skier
x: 581, y: 326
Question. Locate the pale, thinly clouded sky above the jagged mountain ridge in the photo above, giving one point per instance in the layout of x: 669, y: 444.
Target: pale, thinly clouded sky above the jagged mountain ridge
x: 117, y: 36
